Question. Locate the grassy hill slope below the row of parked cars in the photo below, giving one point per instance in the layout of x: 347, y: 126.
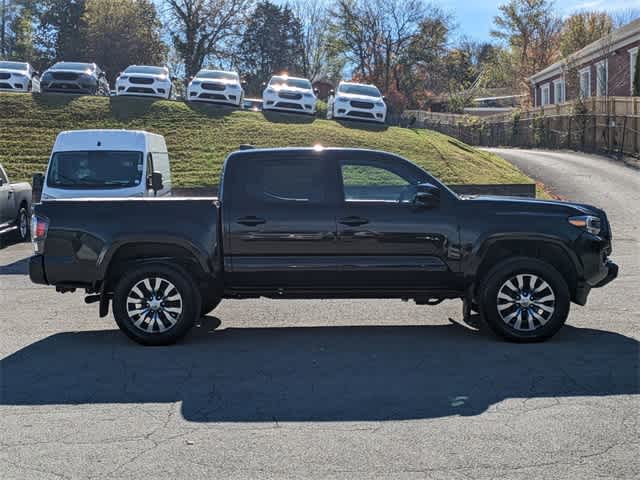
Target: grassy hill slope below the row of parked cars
x: 200, y: 136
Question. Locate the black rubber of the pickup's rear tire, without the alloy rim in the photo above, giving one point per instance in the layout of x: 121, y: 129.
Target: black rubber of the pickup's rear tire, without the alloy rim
x: 190, y: 298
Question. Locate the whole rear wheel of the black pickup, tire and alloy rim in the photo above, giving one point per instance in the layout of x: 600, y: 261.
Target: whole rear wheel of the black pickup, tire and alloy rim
x: 167, y: 322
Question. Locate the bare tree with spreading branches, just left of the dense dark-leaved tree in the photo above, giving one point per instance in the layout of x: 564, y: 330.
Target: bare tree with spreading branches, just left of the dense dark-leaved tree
x: 205, y: 29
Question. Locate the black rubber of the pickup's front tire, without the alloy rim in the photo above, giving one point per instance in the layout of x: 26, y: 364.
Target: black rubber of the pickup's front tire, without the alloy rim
x: 509, y: 268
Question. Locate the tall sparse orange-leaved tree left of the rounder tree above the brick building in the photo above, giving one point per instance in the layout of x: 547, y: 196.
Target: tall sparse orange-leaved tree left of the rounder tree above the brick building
x: 531, y: 29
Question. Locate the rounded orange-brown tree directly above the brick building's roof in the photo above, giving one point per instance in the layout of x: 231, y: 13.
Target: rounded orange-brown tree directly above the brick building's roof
x: 583, y: 28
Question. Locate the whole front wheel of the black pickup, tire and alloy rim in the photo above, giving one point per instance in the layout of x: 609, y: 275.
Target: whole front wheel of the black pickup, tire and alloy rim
x: 534, y: 309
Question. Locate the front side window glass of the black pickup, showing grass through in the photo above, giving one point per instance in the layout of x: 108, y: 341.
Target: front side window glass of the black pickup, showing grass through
x: 368, y: 182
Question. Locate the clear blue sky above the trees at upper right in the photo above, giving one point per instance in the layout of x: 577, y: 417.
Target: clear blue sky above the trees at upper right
x: 475, y: 17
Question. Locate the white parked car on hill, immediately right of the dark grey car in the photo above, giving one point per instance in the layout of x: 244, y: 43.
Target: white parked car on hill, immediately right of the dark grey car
x: 145, y: 80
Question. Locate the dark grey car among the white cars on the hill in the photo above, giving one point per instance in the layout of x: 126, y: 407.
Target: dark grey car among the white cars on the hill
x: 75, y: 77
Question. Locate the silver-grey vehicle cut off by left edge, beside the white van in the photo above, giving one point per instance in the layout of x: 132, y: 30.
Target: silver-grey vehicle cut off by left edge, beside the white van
x: 15, y: 205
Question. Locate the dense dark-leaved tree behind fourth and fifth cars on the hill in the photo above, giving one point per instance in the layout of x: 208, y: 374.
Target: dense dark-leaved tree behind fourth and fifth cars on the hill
x: 271, y: 44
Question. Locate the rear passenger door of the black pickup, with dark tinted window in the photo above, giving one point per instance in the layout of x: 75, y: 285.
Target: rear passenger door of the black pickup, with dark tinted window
x: 279, y: 216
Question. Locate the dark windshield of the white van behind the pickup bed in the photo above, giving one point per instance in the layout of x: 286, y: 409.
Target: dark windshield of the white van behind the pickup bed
x: 95, y: 169
